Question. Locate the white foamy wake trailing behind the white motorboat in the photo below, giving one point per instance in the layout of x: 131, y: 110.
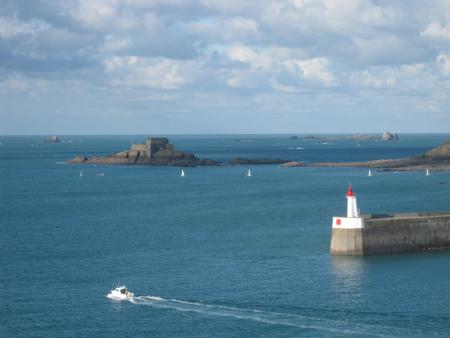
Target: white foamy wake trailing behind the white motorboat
x: 276, y: 318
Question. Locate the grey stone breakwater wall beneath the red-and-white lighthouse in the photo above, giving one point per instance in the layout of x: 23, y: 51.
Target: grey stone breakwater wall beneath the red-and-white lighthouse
x: 384, y: 234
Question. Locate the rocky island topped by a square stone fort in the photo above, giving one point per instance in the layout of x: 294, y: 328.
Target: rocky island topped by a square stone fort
x: 155, y: 151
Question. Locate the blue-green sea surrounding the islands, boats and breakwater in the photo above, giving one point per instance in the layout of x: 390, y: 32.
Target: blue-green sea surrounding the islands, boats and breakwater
x: 215, y: 253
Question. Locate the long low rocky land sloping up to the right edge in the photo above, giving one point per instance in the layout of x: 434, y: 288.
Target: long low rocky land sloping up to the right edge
x: 437, y: 159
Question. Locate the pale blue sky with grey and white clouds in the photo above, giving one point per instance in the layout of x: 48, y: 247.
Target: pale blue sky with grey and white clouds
x: 224, y: 66
